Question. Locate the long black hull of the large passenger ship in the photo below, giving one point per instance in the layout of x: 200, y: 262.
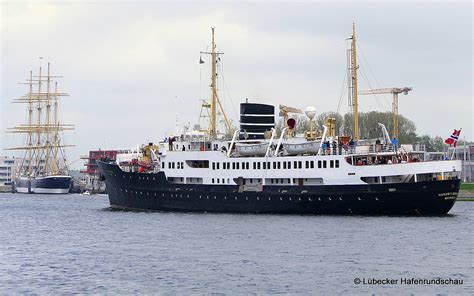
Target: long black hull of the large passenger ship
x: 152, y: 192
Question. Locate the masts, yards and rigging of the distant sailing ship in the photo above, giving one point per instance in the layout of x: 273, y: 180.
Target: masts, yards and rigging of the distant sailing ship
x: 43, y: 151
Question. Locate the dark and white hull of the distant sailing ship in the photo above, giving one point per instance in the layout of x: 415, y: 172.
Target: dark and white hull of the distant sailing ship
x: 45, y: 185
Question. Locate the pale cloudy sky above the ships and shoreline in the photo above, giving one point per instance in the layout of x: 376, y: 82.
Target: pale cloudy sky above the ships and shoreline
x: 133, y: 75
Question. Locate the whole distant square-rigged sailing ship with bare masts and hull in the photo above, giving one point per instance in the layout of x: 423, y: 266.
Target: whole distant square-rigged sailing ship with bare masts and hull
x: 44, y: 167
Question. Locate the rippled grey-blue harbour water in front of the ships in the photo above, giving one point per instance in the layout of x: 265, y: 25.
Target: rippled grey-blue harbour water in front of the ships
x: 73, y: 244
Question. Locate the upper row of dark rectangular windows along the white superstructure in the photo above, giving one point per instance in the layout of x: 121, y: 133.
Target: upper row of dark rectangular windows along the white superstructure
x: 277, y: 165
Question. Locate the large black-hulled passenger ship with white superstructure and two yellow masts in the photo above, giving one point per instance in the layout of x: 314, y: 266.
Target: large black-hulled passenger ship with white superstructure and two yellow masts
x: 262, y: 168
